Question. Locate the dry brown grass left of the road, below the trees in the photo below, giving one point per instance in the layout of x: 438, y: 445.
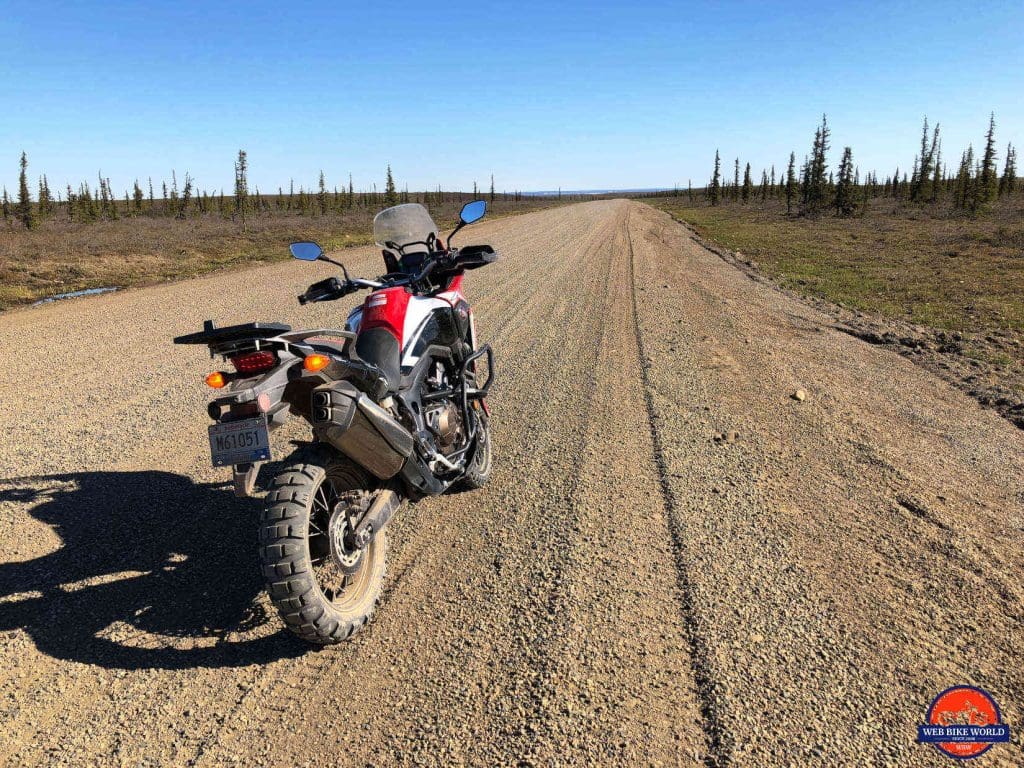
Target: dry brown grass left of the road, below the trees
x: 61, y: 257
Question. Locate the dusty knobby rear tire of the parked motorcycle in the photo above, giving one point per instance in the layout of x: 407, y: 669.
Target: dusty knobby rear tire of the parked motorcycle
x: 318, y: 605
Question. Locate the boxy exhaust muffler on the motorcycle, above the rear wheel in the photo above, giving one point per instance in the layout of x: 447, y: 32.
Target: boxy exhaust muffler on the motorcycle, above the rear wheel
x: 348, y: 419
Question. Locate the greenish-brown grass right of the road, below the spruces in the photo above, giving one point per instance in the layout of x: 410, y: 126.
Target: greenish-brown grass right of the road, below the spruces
x: 929, y: 268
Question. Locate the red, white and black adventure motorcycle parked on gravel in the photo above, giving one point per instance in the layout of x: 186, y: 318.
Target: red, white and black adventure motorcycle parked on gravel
x: 398, y: 406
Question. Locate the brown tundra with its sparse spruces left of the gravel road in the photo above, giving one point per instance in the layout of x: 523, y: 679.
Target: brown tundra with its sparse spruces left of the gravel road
x: 54, y: 242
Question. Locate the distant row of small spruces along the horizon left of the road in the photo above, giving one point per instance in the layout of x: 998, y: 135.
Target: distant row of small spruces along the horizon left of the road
x: 92, y: 203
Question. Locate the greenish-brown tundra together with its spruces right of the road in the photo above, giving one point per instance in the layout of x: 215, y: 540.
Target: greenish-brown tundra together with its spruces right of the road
x: 932, y: 244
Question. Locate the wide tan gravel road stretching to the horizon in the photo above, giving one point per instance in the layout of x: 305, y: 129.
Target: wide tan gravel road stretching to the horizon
x: 676, y: 563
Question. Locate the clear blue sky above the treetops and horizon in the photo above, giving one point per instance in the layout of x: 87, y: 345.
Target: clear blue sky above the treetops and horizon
x: 542, y: 95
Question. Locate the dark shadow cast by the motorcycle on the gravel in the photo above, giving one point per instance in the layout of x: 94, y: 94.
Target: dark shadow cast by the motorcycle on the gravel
x: 154, y: 571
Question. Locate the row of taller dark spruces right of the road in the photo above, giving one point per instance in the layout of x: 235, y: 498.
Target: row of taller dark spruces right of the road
x: 814, y: 189
